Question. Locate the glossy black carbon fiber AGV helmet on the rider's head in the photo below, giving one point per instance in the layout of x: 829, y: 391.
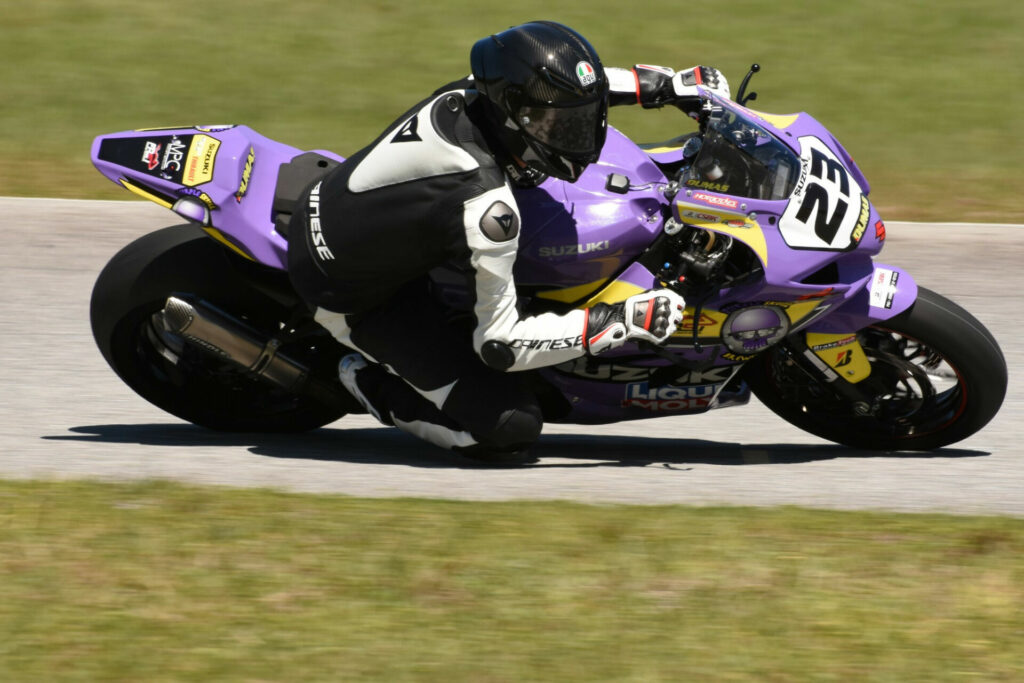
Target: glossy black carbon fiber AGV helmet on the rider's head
x: 546, y: 96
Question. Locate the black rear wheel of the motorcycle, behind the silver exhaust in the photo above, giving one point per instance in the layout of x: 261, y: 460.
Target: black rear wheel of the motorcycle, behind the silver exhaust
x: 180, y: 378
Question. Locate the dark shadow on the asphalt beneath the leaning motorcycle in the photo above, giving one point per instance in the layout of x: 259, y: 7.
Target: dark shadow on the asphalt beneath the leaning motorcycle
x: 391, y: 447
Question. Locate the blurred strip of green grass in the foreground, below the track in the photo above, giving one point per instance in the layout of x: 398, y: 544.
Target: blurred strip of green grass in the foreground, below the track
x: 165, y: 582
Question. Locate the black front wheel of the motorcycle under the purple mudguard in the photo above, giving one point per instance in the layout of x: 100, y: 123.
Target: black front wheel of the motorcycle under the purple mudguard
x: 937, y: 377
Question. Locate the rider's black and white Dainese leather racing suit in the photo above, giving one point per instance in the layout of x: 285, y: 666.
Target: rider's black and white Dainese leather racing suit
x: 434, y: 191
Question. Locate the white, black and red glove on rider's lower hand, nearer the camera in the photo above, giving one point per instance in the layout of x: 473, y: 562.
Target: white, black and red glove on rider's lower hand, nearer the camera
x: 652, y: 317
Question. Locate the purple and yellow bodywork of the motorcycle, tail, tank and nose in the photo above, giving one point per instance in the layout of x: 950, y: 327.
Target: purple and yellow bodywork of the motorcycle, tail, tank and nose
x: 812, y: 229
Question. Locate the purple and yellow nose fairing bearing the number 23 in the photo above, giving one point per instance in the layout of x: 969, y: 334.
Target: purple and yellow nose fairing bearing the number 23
x: 821, y: 231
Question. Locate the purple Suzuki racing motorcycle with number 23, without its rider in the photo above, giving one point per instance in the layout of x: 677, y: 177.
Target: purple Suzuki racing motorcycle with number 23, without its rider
x: 761, y: 222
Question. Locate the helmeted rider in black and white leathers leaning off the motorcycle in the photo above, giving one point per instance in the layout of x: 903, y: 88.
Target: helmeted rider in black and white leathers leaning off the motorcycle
x: 437, y: 189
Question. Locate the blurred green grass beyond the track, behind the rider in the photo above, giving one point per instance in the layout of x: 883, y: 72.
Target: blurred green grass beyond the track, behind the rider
x: 926, y: 96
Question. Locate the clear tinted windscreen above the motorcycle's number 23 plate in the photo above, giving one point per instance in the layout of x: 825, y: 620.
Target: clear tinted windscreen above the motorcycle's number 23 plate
x: 739, y: 157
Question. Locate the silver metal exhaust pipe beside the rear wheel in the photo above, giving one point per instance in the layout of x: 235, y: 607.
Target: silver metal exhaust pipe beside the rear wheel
x: 231, y: 339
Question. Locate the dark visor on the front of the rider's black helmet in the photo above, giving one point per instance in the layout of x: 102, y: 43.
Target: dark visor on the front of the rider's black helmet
x: 574, y: 131
